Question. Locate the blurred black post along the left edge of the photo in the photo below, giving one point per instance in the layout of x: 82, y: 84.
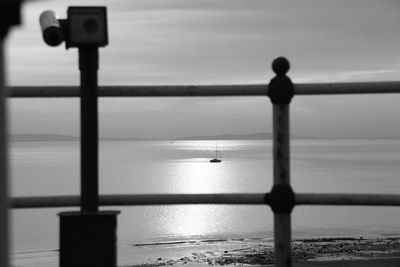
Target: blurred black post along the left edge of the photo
x: 9, y: 15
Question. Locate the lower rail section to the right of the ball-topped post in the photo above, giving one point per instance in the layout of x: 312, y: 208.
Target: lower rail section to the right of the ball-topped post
x: 348, y: 199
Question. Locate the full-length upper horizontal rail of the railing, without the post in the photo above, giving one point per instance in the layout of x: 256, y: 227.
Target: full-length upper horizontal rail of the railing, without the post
x: 206, y: 90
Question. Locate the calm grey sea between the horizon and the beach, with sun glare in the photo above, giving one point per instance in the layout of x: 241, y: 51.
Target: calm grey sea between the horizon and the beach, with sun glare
x: 170, y: 166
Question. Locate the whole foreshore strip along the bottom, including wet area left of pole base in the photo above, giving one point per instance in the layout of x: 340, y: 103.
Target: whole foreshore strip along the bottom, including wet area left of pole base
x: 346, y: 251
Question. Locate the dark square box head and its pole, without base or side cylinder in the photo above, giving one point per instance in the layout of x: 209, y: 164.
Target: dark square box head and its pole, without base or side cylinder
x: 87, y: 30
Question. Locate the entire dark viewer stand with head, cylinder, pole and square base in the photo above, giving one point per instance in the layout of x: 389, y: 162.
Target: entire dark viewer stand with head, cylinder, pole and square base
x: 88, y: 237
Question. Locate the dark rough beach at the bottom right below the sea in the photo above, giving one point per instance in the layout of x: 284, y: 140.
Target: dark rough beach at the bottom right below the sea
x: 324, y: 251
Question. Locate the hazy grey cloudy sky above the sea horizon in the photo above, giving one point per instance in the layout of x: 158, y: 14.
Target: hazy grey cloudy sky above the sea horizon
x: 217, y: 42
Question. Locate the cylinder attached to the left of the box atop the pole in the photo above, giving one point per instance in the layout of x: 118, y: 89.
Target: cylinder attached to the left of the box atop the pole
x: 53, y: 33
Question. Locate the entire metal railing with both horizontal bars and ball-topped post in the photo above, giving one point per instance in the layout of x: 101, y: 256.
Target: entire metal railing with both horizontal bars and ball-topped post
x: 281, y: 198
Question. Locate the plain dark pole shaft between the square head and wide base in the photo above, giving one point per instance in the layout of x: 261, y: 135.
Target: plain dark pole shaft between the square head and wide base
x: 88, y: 65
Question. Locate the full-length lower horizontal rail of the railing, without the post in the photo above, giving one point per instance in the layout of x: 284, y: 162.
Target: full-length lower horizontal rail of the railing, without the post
x: 228, y: 199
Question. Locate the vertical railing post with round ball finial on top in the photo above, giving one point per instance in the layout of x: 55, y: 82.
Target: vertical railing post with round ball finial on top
x: 282, y: 202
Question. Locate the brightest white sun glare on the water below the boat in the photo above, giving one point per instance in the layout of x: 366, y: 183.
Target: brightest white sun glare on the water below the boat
x: 196, y: 175
